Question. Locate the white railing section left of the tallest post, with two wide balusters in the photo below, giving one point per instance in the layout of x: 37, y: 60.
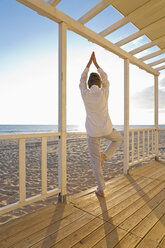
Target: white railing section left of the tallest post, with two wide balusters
x: 22, y: 170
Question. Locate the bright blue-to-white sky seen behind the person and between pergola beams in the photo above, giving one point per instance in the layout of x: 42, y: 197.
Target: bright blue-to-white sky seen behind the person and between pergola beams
x: 29, y: 68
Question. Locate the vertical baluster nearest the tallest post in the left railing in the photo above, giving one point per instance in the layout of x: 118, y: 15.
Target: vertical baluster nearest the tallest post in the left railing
x: 44, y: 165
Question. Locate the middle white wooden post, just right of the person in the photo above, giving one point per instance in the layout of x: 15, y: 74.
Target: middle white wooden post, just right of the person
x: 126, y: 115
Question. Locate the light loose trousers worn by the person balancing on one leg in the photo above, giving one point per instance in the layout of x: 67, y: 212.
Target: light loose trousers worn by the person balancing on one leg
x: 94, y: 150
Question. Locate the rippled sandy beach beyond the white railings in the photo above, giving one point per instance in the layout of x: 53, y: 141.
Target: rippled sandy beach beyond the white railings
x: 79, y: 171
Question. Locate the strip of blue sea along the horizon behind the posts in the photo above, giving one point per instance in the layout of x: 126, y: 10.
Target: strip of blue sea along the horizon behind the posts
x: 26, y: 129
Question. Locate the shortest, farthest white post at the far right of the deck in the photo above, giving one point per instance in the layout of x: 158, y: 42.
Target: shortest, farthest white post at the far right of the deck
x: 156, y: 117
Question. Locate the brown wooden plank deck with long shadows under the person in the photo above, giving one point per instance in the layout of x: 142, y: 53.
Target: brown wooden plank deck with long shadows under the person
x: 131, y: 215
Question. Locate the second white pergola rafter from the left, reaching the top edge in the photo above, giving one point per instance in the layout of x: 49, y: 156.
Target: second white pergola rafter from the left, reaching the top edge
x: 94, y: 11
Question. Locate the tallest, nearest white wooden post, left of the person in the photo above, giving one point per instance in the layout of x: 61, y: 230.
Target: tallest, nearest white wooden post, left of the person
x: 62, y: 110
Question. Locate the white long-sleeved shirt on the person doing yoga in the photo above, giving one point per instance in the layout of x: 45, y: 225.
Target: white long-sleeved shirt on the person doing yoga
x: 98, y: 122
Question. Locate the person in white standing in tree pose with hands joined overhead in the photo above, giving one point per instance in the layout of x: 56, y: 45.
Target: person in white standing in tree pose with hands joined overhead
x: 98, y: 122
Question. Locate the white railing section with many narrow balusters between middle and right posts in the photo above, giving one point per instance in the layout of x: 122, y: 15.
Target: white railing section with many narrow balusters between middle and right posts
x: 142, y: 145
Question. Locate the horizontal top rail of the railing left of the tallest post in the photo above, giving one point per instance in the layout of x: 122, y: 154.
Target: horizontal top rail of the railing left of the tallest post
x: 27, y: 136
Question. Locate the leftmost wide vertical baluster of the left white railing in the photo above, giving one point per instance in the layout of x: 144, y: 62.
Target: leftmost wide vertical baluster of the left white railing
x: 22, y: 171
